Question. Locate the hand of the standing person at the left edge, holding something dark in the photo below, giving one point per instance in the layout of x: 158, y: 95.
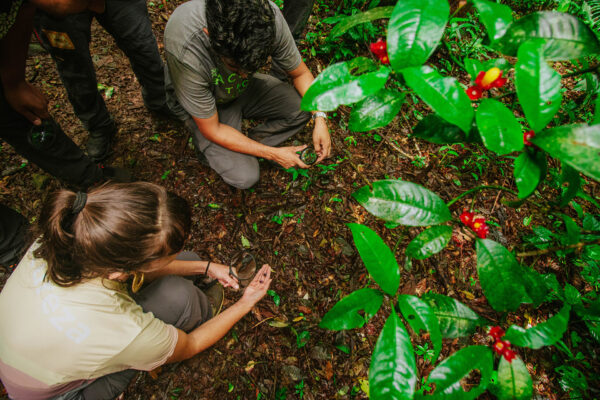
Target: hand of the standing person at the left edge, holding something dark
x: 27, y: 100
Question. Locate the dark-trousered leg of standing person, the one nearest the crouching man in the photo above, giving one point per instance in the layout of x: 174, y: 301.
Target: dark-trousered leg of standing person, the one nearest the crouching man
x: 128, y: 22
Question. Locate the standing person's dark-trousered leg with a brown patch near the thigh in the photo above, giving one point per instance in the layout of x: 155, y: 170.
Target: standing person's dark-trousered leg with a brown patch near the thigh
x: 67, y: 39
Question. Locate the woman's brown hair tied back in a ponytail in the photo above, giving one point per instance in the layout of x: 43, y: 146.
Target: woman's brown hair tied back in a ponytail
x: 122, y: 227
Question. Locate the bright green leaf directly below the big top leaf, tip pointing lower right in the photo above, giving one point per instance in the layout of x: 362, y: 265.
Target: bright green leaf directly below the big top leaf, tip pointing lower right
x: 444, y: 95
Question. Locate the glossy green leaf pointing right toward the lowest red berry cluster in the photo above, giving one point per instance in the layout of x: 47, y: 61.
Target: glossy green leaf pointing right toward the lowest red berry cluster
x: 454, y: 318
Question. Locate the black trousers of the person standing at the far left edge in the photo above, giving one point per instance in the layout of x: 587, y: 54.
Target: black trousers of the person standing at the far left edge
x: 59, y: 157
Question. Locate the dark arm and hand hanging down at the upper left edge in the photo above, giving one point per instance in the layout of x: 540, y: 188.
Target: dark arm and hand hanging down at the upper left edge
x: 23, y: 97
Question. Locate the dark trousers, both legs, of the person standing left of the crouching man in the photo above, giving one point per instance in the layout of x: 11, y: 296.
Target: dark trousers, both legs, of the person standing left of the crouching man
x: 128, y: 22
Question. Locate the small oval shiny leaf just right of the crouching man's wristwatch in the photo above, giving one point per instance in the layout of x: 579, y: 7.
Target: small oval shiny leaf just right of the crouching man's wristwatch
x: 376, y: 111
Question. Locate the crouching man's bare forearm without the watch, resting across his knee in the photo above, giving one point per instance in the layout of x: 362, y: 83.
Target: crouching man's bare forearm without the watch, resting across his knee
x: 234, y: 140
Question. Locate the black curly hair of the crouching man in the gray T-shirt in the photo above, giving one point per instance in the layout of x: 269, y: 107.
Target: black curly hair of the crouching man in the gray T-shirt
x: 242, y: 31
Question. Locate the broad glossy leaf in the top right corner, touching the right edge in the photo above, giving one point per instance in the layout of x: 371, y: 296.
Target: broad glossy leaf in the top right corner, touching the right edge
x: 565, y: 36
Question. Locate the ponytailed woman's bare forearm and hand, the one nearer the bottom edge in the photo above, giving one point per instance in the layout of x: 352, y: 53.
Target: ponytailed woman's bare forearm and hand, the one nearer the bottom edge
x: 207, y: 334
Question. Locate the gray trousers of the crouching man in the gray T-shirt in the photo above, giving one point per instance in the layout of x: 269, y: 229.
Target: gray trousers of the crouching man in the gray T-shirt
x: 266, y: 98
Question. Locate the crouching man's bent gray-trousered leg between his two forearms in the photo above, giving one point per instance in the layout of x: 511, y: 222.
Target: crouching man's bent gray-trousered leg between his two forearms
x: 279, y: 104
